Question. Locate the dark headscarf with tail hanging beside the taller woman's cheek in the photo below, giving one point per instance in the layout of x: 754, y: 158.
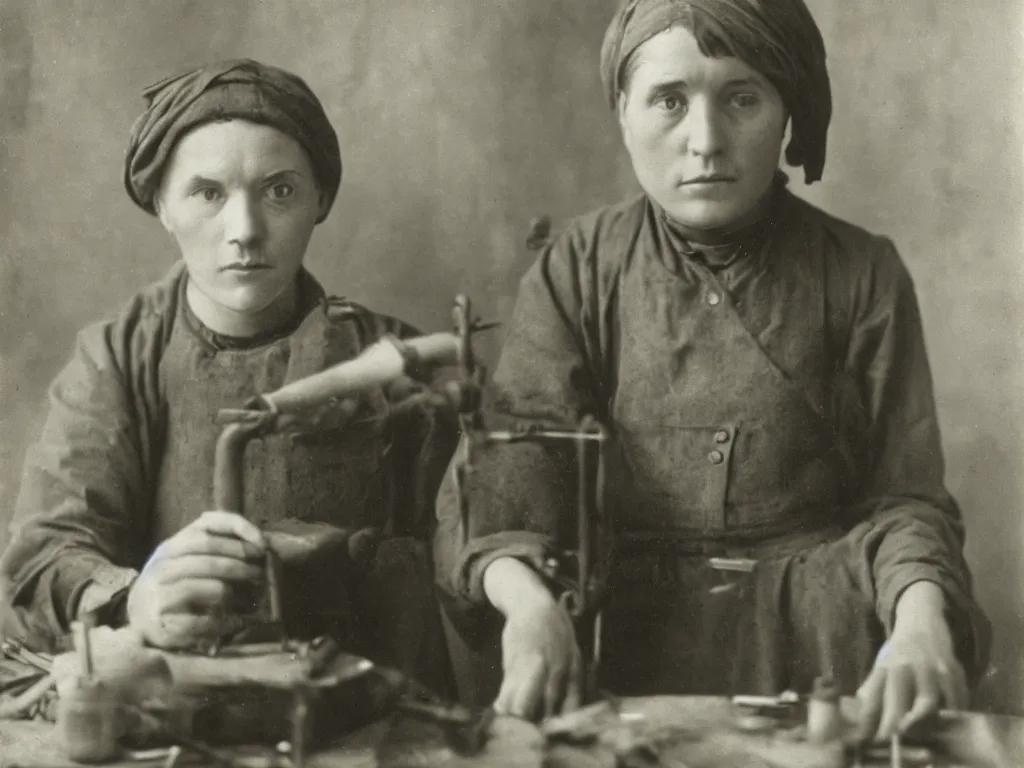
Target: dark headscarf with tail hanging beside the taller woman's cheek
x: 779, y: 38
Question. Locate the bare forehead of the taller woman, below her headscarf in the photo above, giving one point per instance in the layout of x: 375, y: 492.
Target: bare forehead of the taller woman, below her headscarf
x: 675, y: 56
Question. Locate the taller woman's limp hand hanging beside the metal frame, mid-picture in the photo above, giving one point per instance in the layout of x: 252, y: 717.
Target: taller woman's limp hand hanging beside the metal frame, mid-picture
x: 540, y: 657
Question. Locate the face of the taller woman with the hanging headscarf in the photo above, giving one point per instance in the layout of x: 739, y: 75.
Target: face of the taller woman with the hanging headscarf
x: 705, y: 135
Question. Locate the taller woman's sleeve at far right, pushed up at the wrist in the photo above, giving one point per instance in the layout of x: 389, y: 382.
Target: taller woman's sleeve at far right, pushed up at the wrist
x: 915, y: 530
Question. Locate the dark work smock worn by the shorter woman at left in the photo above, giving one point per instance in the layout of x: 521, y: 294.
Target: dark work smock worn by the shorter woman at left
x: 126, y: 461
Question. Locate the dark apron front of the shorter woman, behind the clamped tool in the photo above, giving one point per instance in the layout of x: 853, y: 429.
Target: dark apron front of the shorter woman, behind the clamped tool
x: 340, y: 476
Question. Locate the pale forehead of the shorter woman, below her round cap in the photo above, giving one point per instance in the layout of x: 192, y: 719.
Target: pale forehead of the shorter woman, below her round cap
x: 234, y: 147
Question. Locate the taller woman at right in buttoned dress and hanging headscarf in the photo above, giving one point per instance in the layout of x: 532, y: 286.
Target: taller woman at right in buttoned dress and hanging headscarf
x: 761, y: 369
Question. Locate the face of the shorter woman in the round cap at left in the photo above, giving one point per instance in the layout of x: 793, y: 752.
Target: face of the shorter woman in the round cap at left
x: 241, y: 201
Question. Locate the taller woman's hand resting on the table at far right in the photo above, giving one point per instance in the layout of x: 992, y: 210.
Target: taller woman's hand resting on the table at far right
x: 917, y: 672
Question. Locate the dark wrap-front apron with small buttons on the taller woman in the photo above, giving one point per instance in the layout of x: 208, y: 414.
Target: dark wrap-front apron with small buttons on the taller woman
x: 719, y: 453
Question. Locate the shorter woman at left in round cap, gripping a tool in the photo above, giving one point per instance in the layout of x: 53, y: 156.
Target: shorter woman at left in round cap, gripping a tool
x: 239, y: 162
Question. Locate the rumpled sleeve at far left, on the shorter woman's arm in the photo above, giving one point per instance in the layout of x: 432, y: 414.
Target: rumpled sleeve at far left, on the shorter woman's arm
x: 78, y: 522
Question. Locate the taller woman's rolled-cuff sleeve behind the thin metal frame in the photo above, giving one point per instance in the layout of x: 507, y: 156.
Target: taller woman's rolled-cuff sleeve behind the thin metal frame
x: 519, y: 496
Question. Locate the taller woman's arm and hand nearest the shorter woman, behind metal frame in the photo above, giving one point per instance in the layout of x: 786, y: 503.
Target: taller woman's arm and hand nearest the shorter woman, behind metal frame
x: 522, y: 496
